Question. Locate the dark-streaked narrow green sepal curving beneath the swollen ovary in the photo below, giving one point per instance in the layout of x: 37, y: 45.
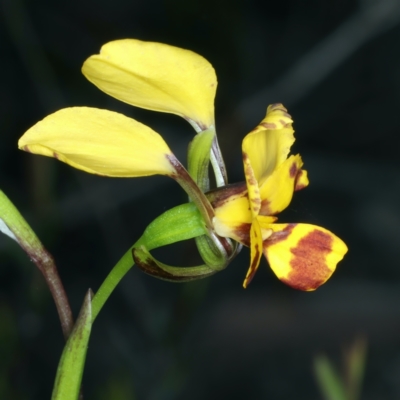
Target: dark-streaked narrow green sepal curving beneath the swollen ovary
x: 148, y: 264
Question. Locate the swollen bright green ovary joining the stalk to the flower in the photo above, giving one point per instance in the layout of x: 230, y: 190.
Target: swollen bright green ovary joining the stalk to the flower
x: 179, y: 223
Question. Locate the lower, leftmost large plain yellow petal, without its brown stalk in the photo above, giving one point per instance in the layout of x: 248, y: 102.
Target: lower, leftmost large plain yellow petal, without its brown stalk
x: 100, y: 142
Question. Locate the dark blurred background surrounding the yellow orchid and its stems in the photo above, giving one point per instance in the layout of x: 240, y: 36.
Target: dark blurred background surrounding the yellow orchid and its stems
x: 336, y: 67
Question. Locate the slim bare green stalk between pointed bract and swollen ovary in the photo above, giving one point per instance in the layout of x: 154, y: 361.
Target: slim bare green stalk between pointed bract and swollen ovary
x: 112, y: 280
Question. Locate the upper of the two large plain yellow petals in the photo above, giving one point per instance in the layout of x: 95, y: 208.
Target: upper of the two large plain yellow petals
x: 157, y: 77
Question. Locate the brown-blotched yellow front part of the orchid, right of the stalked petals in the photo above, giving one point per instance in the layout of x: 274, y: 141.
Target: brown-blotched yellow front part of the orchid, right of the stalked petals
x: 301, y: 255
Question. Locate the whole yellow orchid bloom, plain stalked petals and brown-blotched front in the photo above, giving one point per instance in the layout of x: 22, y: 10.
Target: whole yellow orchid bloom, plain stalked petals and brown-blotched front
x: 164, y: 78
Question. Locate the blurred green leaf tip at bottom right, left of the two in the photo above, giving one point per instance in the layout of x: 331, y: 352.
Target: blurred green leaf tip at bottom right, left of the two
x: 330, y: 383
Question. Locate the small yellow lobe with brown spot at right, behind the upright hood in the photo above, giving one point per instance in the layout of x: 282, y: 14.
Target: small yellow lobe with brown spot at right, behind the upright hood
x: 277, y: 190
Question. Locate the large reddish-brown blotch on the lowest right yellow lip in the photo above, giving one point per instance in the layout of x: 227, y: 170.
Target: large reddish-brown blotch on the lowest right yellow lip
x: 309, y: 261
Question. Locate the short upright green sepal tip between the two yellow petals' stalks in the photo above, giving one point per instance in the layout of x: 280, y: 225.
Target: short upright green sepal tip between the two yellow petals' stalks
x: 199, y: 158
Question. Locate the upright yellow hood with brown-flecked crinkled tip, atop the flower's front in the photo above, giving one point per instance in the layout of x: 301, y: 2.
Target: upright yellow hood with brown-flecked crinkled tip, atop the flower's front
x: 268, y: 145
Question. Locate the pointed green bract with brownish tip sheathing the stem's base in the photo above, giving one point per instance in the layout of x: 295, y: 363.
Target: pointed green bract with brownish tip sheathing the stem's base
x: 72, y: 362
